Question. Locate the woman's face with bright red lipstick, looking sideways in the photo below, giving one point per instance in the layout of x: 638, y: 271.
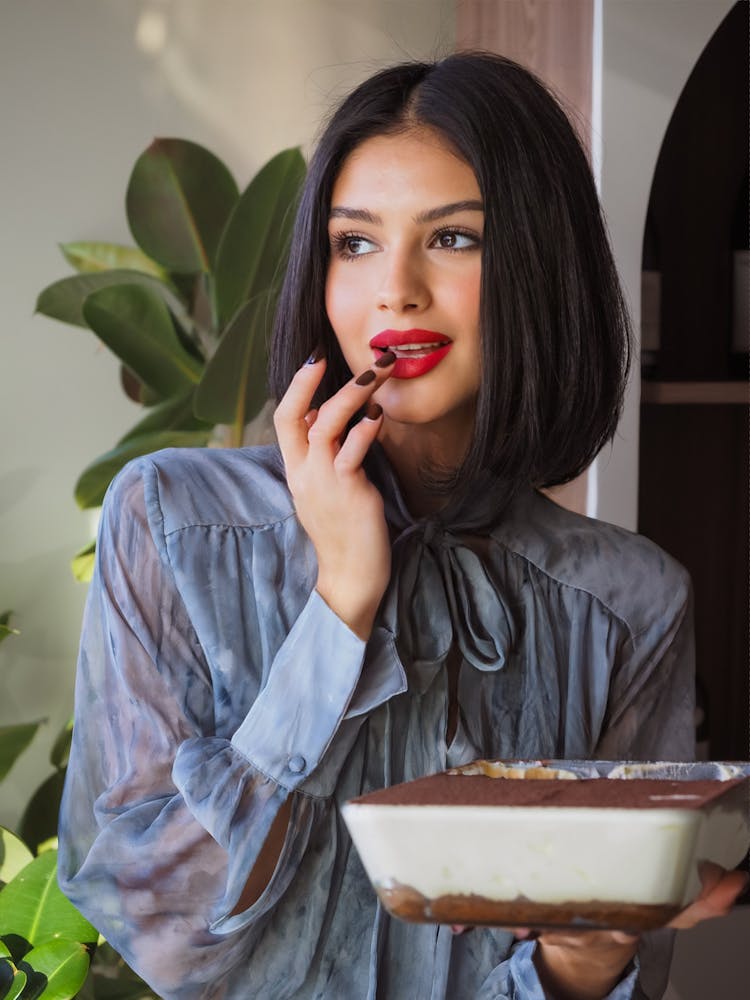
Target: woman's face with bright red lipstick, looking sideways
x: 405, y: 230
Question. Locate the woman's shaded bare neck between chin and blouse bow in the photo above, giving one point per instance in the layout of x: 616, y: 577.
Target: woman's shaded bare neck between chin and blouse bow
x: 411, y: 448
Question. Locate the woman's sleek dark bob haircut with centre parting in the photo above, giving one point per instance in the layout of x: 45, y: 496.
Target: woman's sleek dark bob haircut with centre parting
x: 554, y: 328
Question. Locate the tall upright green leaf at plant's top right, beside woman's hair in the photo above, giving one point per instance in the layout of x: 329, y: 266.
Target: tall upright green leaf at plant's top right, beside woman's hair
x: 252, y: 252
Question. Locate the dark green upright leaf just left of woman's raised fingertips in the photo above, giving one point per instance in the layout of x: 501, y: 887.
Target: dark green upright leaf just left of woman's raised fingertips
x: 233, y: 387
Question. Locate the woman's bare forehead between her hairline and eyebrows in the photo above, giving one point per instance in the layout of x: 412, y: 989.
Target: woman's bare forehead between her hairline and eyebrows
x: 417, y: 165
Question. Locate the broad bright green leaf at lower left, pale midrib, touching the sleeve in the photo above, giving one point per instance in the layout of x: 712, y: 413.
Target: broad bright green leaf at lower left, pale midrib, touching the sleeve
x: 33, y: 908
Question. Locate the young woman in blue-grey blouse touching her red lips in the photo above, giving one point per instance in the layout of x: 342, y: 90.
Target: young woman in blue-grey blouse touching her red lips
x: 273, y: 631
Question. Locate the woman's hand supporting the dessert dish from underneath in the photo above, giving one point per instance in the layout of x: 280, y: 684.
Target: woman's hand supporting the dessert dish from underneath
x: 586, y: 965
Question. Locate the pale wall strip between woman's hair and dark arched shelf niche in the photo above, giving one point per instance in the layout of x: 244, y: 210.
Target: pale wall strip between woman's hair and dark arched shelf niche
x: 648, y: 48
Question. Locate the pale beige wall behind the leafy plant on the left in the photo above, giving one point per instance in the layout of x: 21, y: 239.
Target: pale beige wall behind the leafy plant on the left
x: 79, y: 100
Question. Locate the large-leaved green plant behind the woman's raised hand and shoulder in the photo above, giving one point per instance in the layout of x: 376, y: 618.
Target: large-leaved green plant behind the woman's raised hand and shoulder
x: 188, y: 310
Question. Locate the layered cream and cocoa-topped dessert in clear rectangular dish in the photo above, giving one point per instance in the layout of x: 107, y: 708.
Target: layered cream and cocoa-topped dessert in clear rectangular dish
x: 555, y: 843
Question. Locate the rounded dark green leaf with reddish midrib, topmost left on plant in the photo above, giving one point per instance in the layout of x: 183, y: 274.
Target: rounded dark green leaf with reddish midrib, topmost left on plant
x: 178, y: 200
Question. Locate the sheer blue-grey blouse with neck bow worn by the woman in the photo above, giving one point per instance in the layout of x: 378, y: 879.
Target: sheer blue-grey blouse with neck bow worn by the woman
x: 214, y: 683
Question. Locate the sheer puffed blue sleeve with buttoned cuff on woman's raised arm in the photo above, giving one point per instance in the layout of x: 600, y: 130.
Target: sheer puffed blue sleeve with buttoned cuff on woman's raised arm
x: 161, y: 820
